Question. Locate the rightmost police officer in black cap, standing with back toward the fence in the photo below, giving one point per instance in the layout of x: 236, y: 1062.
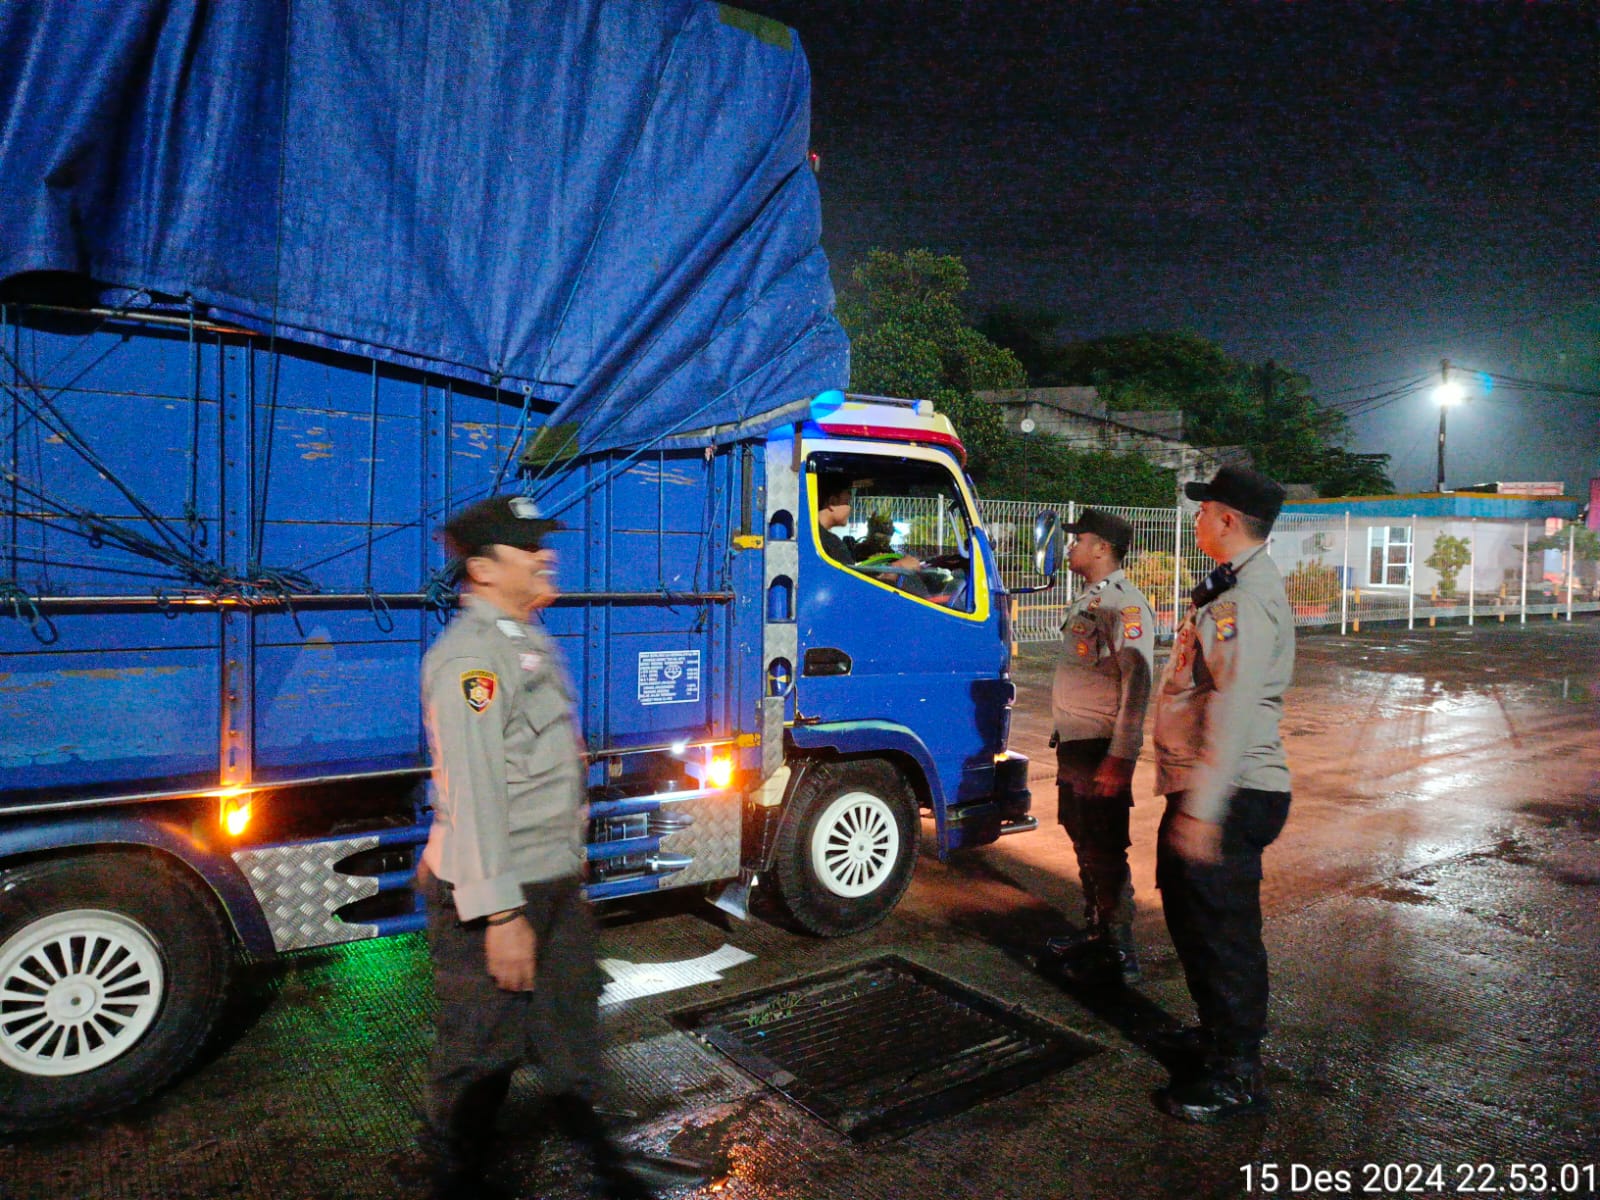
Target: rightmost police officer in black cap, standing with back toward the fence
x: 1220, y: 762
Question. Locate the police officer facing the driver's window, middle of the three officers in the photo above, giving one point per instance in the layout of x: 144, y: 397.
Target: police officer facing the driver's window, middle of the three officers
x: 1102, y: 689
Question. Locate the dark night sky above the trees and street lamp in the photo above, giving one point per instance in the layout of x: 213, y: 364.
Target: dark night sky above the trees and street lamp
x: 1354, y: 191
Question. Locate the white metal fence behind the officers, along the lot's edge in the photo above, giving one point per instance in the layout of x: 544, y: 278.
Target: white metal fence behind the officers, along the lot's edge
x: 1340, y: 570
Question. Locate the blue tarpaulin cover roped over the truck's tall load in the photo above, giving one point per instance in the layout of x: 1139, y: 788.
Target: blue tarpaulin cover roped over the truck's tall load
x: 601, y: 204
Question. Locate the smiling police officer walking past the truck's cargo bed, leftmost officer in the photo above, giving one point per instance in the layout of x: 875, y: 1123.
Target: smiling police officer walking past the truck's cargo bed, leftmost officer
x: 508, y: 924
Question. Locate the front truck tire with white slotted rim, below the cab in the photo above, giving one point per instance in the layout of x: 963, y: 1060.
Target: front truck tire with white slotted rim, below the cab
x: 847, y: 847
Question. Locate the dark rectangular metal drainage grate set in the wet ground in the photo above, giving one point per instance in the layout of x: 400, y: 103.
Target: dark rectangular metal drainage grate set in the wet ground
x: 884, y: 1047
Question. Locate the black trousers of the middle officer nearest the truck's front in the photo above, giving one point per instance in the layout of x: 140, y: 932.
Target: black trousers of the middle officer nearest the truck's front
x: 1098, y: 828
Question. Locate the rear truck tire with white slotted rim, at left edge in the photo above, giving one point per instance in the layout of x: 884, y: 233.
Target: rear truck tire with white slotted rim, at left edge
x: 113, y: 974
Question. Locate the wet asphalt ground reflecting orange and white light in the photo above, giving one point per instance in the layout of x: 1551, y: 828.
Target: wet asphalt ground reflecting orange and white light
x: 1433, y: 918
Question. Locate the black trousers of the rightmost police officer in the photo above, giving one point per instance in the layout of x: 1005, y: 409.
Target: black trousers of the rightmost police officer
x: 1214, y: 916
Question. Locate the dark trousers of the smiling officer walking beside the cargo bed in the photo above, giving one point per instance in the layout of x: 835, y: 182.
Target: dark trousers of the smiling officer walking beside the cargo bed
x: 484, y: 1033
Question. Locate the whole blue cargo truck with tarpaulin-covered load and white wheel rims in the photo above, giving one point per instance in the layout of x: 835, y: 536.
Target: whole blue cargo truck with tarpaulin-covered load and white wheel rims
x: 279, y: 290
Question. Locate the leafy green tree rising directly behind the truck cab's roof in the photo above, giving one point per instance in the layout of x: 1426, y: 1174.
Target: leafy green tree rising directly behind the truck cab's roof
x: 910, y: 338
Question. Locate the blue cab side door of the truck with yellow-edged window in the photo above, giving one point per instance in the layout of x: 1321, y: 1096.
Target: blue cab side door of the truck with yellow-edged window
x: 897, y: 625
